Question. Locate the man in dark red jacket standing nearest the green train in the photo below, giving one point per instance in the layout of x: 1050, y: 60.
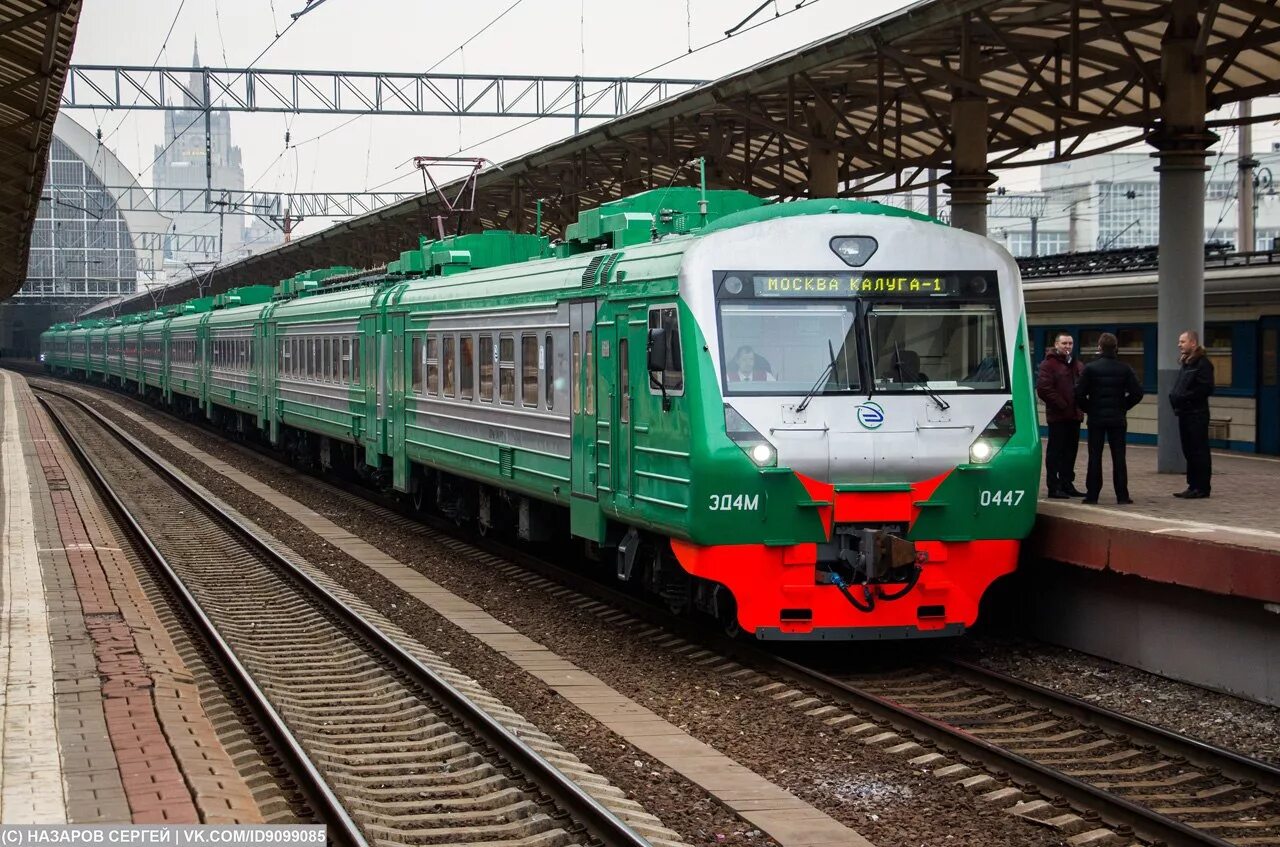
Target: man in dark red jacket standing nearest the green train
x: 1055, y: 384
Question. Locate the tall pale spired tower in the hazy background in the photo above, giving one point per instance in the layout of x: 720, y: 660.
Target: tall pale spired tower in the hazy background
x: 181, y: 164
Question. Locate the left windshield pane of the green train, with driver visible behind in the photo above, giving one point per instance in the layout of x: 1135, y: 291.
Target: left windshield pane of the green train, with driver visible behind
x: 784, y: 349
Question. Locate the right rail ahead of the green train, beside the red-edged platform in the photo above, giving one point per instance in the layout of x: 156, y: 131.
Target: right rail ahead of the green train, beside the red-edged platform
x: 1196, y: 752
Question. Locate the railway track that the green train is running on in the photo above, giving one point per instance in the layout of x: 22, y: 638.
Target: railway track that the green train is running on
x: 1140, y: 780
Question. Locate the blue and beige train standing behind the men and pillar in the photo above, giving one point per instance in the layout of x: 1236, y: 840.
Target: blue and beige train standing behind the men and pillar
x: 1242, y: 327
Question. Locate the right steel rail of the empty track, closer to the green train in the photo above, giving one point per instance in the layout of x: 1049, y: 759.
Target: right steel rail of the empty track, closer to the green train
x: 598, y: 821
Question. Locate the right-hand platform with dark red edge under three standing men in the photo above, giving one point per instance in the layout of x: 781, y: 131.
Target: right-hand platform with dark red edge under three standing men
x: 1228, y: 544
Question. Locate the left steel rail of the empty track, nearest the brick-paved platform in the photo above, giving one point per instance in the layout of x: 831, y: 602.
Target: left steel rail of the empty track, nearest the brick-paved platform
x: 340, y: 826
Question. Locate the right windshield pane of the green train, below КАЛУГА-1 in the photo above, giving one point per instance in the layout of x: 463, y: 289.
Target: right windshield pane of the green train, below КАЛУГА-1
x: 940, y: 347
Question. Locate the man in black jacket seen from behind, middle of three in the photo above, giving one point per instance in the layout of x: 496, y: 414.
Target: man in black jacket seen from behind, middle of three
x: 1107, y: 392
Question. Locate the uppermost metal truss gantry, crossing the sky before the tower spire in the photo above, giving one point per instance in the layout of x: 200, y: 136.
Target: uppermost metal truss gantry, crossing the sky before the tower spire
x: 354, y: 93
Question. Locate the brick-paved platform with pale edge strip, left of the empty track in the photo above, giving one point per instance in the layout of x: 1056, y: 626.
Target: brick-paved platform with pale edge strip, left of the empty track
x: 100, y: 720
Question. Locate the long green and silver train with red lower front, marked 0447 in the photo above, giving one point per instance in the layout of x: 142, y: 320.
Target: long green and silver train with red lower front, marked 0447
x: 815, y: 420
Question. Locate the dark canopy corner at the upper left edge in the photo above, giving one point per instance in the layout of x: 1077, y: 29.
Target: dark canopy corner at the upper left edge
x: 35, y: 52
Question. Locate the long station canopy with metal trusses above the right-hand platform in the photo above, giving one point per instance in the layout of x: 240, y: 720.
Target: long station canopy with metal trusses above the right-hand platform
x: 877, y: 98
